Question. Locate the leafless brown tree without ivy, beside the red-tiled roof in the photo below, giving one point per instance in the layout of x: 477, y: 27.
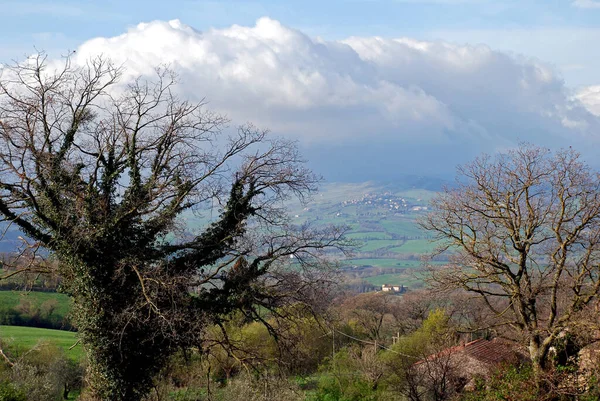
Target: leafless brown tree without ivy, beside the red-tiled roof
x: 523, y: 229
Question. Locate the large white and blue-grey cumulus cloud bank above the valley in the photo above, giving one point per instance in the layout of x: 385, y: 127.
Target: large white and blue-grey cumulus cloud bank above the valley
x: 363, y: 107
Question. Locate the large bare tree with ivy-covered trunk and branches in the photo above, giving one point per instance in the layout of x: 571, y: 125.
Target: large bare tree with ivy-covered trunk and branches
x: 99, y: 174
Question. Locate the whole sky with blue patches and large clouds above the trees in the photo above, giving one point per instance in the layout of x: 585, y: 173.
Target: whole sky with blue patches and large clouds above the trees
x: 369, y: 88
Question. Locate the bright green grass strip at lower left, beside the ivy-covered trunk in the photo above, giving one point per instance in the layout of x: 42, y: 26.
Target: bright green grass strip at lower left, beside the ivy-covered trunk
x: 28, y: 337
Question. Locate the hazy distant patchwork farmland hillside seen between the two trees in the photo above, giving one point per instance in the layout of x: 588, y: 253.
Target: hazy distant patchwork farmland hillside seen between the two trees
x: 382, y: 222
